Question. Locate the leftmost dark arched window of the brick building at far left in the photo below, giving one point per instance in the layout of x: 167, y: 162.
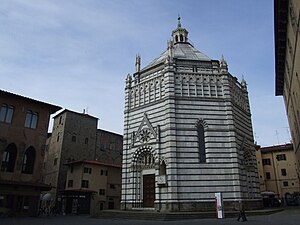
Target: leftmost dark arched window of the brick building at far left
x: 9, y: 158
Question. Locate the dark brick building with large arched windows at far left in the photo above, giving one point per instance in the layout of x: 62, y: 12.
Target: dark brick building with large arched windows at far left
x: 23, y: 133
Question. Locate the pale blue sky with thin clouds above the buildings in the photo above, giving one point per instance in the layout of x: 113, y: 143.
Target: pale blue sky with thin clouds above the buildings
x: 76, y: 54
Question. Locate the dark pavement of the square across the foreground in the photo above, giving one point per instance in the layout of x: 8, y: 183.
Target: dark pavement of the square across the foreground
x: 290, y: 216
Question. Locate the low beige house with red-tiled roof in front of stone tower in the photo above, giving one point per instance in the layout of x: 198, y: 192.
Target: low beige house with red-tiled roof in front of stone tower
x: 91, y: 186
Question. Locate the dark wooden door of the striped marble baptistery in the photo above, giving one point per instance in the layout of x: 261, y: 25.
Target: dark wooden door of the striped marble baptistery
x: 148, y: 190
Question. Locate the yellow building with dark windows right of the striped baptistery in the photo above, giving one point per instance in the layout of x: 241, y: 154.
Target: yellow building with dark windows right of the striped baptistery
x: 277, y: 168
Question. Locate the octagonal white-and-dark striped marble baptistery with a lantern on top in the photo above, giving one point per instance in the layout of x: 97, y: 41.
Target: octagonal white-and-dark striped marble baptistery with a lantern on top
x: 187, y: 133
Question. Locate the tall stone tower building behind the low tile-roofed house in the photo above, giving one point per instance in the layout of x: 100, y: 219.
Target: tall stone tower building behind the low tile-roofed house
x: 75, y: 137
